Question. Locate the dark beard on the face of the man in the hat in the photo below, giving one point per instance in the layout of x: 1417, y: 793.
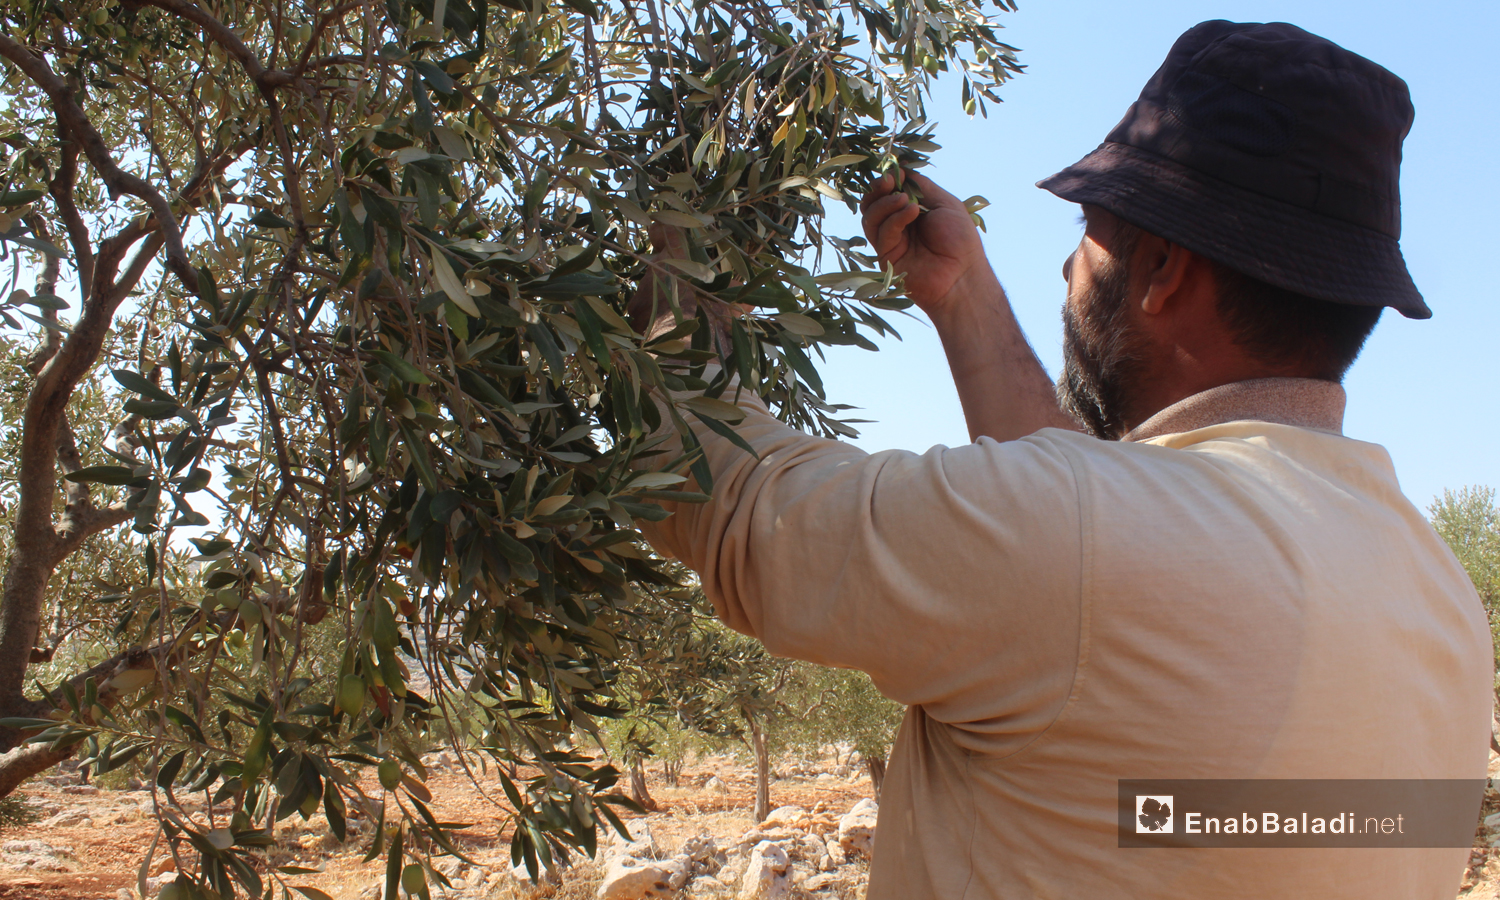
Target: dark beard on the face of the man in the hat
x: 1103, y: 355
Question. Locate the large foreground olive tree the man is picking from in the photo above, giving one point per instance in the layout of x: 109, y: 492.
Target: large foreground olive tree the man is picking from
x: 376, y: 257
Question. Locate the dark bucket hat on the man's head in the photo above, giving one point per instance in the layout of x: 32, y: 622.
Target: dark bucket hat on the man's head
x: 1270, y: 151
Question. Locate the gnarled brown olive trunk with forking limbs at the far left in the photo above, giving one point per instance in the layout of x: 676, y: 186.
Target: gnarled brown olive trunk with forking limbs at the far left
x: 46, y: 533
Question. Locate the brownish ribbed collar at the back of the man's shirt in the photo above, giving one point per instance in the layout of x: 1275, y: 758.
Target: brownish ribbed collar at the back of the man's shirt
x: 1304, y: 403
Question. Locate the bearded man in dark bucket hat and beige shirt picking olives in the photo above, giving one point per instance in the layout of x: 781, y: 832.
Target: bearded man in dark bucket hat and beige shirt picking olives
x: 1223, y: 587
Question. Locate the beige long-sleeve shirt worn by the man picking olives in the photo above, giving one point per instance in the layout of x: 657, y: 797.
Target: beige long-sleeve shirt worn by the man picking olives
x: 1235, y: 592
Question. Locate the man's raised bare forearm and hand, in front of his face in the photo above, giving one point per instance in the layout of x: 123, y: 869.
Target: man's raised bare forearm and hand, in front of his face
x: 1003, y: 386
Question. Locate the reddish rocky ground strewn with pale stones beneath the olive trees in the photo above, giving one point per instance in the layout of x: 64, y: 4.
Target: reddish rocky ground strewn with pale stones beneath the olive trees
x: 89, y: 844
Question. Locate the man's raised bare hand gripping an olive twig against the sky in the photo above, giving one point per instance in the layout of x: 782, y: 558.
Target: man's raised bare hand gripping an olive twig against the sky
x: 935, y: 250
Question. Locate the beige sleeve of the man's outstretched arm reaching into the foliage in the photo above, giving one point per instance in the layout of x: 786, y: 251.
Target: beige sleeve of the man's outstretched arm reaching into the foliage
x: 952, y: 577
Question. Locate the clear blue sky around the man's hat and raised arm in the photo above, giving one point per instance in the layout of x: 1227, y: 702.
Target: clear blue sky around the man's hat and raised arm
x: 1423, y: 389
